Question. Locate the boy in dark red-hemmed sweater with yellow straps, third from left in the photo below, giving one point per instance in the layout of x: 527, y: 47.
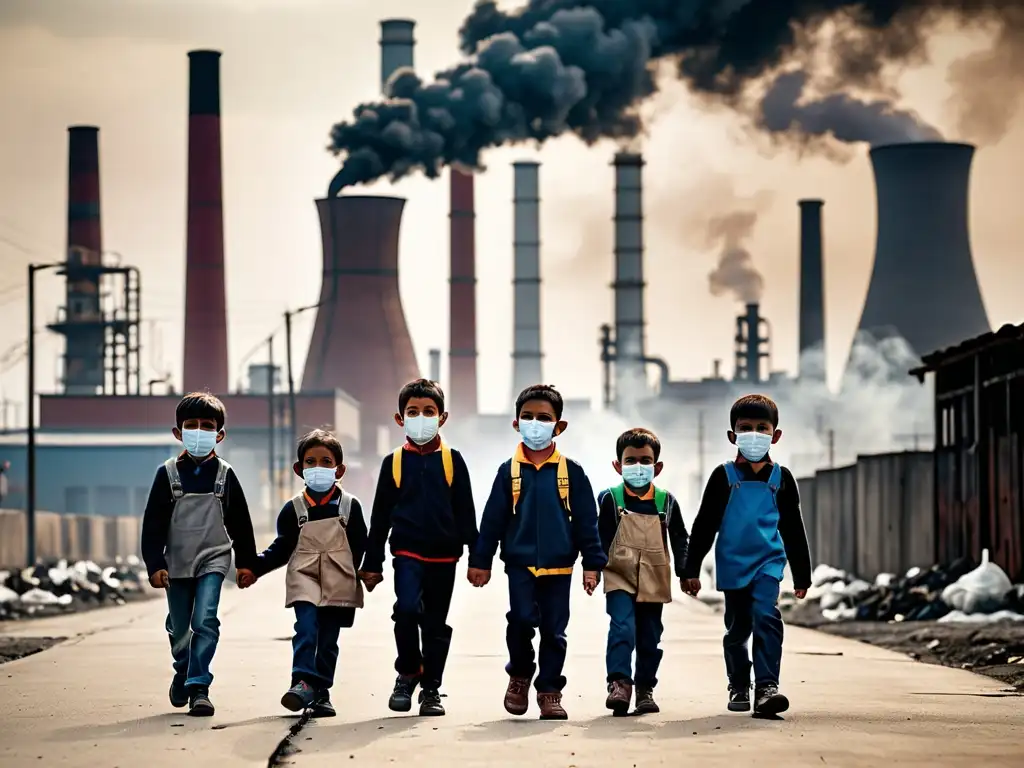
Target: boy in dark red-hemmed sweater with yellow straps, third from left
x: 424, y: 500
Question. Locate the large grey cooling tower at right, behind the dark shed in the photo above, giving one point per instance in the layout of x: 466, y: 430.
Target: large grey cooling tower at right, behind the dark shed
x: 924, y: 286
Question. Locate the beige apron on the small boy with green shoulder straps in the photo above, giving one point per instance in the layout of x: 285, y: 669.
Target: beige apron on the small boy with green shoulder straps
x: 638, y: 561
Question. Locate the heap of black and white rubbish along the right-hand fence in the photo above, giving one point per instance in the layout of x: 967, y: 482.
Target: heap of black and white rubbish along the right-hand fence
x: 963, y: 591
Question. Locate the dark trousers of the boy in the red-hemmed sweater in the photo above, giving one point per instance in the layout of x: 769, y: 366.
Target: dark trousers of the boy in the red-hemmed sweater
x: 423, y: 596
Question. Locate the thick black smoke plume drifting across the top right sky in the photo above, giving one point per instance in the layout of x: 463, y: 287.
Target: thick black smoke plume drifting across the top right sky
x: 582, y: 67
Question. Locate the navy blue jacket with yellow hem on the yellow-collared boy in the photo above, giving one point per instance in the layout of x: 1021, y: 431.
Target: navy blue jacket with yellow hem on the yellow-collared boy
x: 540, y: 534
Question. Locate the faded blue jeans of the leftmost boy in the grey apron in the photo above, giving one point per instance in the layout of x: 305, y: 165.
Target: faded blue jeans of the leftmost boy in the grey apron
x: 193, y: 627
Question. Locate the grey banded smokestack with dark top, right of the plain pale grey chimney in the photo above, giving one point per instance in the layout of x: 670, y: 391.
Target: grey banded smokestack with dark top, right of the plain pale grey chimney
x: 629, y: 286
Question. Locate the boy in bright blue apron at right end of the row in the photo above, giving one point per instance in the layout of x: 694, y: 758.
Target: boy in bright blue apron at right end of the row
x: 753, y: 505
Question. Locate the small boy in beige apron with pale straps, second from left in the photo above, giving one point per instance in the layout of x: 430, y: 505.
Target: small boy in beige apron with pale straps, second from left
x: 321, y: 539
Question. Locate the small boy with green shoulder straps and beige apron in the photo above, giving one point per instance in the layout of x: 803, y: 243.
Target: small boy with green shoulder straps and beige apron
x: 637, y: 523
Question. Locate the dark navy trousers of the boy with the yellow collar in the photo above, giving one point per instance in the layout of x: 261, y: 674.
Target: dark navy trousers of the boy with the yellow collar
x: 538, y: 603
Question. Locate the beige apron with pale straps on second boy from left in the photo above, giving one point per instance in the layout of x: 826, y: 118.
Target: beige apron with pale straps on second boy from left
x: 321, y: 570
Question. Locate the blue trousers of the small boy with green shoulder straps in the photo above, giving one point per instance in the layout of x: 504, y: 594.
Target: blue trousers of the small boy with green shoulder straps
x: 632, y: 627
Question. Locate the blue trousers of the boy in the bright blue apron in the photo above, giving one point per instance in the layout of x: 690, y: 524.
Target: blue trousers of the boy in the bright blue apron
x: 754, y: 610
